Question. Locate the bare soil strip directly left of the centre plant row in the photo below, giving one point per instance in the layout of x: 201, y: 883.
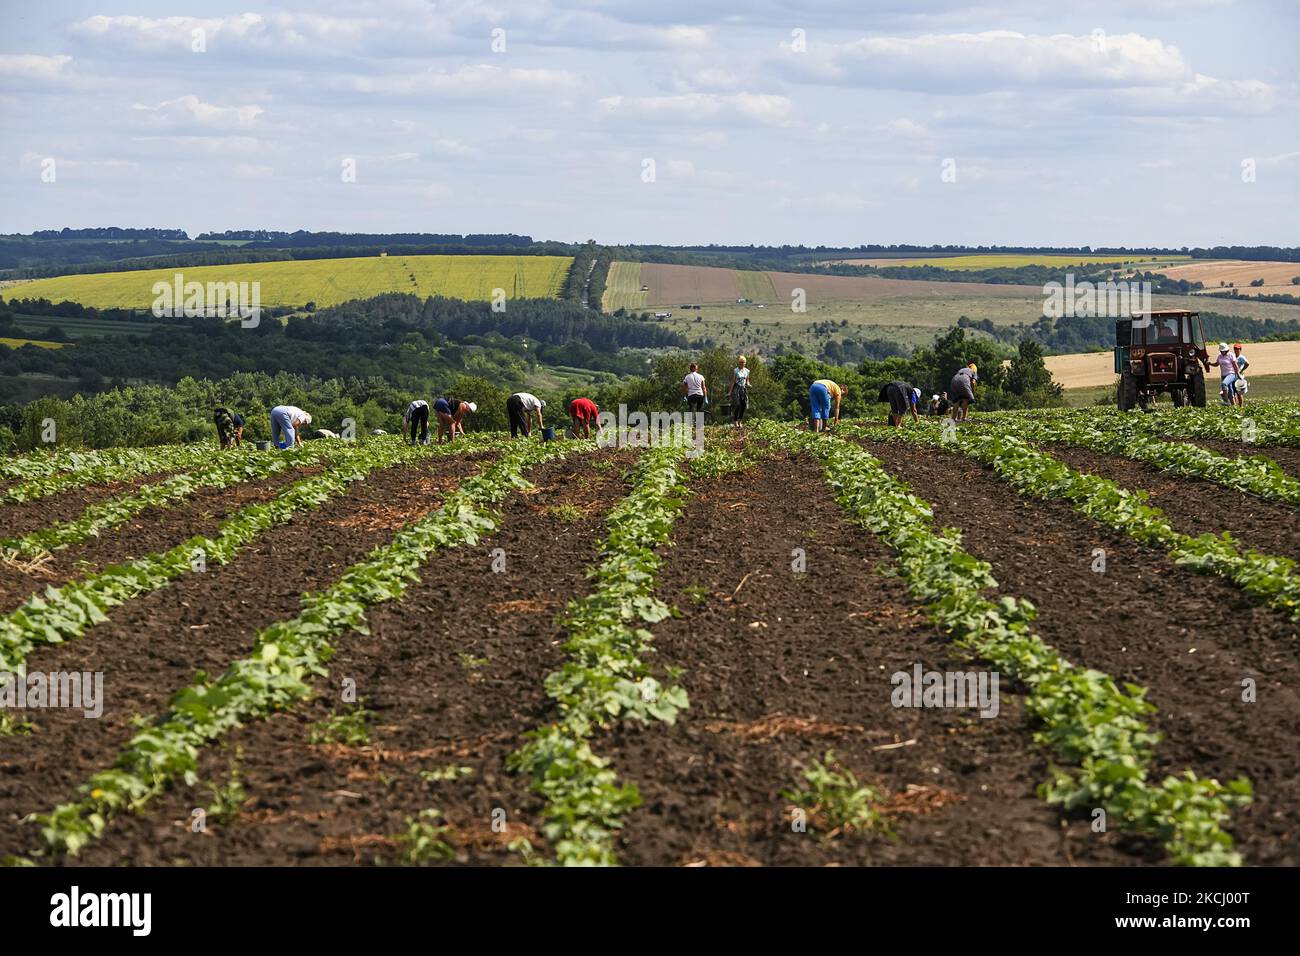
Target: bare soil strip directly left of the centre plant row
x: 452, y: 677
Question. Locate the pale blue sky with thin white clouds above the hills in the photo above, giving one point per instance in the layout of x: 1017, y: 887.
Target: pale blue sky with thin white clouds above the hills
x: 1111, y: 123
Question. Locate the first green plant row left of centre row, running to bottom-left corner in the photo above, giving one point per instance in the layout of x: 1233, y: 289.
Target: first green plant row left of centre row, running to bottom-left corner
x: 287, y: 656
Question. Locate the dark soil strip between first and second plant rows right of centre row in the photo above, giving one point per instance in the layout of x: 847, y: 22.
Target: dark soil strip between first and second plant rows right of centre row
x: 1194, y: 643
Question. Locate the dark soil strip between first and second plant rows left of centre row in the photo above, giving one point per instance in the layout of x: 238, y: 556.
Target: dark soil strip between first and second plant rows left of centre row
x: 200, y: 625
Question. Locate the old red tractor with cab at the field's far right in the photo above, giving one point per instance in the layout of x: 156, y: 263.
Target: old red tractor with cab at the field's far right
x: 1162, y: 352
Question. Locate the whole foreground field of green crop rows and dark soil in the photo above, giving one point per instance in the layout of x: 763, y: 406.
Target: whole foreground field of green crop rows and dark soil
x: 307, y: 657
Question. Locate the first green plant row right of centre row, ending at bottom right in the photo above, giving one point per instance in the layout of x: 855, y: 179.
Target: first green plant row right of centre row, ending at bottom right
x: 1097, y: 732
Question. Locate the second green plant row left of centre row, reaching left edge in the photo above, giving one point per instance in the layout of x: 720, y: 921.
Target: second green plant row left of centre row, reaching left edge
x: 67, y: 612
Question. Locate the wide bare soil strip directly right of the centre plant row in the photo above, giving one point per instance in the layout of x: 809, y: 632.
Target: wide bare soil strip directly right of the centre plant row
x: 783, y: 664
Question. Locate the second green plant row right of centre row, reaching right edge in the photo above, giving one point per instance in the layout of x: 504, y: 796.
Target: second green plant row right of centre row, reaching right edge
x: 1268, y: 578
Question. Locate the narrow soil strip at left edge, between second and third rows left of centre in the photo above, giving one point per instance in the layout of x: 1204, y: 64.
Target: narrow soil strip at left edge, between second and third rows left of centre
x: 151, y: 531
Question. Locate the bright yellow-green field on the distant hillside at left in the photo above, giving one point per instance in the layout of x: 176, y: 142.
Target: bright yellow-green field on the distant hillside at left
x: 324, y: 282
